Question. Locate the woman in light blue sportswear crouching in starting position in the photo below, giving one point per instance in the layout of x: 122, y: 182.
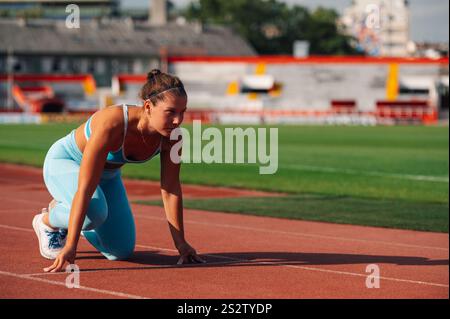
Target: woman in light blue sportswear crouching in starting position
x: 82, y: 173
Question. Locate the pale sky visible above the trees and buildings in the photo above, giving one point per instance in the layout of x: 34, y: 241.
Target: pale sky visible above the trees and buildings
x: 429, y: 18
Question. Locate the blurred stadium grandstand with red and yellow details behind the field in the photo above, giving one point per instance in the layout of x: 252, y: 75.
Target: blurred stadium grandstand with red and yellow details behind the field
x: 46, y: 67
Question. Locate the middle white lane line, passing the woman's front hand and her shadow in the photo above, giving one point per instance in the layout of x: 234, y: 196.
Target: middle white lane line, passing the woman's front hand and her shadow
x: 233, y: 259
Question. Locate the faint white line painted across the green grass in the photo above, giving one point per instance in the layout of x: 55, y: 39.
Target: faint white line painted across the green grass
x: 425, y: 178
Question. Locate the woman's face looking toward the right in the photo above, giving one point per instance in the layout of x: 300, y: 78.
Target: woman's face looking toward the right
x: 167, y: 114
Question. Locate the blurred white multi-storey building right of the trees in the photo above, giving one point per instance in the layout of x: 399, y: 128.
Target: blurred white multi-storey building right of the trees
x: 381, y: 27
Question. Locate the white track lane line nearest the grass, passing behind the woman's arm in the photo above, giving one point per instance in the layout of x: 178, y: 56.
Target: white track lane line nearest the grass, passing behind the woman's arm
x: 296, y: 233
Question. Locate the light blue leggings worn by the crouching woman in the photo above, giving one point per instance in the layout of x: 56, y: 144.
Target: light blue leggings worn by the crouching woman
x: 109, y: 224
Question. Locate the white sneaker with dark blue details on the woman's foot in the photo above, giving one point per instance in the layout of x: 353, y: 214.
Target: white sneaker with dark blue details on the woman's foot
x: 50, y: 241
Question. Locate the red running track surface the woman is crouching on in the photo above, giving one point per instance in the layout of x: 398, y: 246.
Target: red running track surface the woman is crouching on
x: 247, y: 256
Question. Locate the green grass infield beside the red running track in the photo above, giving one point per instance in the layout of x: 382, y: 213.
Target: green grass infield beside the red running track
x: 381, y: 176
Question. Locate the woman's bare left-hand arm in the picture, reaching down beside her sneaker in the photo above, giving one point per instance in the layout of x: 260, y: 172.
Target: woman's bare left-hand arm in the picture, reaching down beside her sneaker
x: 92, y: 164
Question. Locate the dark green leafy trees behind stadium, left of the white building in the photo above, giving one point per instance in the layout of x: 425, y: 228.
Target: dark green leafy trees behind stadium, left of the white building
x: 271, y: 27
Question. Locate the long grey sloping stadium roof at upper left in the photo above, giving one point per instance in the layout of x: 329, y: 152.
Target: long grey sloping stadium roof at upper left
x: 116, y: 37
